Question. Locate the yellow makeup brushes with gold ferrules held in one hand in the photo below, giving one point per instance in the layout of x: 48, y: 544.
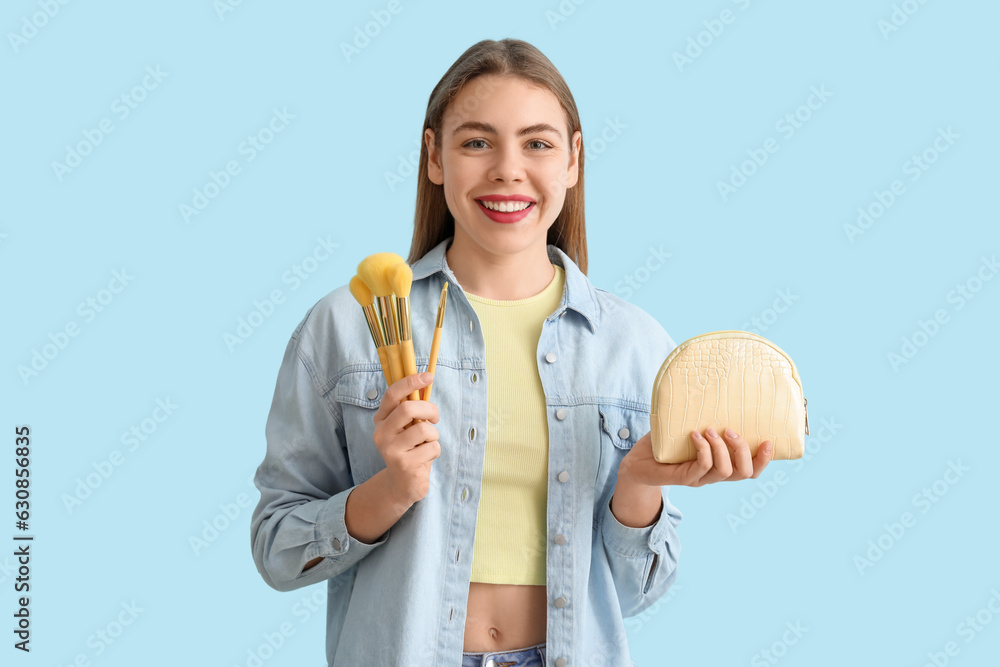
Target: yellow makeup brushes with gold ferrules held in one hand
x: 382, y: 288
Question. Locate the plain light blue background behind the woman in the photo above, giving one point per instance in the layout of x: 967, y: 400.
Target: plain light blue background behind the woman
x: 881, y: 433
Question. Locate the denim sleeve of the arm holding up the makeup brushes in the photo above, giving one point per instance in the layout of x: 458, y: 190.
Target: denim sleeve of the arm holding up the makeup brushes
x: 304, y: 481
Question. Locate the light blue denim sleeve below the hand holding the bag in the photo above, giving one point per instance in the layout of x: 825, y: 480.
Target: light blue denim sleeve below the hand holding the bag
x: 643, y: 560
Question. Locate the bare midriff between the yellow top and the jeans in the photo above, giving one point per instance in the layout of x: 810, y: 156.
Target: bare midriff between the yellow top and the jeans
x: 504, y: 617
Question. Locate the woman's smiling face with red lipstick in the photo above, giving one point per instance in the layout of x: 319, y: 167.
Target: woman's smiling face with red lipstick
x: 505, y: 163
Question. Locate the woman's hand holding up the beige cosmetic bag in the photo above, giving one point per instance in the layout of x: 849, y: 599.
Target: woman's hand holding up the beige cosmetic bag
x: 720, y: 458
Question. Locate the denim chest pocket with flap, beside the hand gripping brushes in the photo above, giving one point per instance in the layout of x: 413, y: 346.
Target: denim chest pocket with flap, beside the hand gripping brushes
x: 360, y: 394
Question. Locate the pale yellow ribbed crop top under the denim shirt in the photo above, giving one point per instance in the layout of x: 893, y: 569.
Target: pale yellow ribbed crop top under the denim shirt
x: 511, y: 526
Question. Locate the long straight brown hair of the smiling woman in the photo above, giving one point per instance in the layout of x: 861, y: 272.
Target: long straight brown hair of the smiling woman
x: 433, y: 222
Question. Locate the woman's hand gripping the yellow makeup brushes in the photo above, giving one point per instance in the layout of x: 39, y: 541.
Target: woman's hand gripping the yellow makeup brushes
x: 407, y: 448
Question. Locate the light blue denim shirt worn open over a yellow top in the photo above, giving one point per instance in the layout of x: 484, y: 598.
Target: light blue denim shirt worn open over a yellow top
x: 402, y: 600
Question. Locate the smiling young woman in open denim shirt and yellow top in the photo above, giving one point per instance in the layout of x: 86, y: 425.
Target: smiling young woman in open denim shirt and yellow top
x: 524, y: 517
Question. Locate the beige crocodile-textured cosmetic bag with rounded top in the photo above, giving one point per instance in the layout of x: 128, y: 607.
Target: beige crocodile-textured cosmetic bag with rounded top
x: 727, y: 379
